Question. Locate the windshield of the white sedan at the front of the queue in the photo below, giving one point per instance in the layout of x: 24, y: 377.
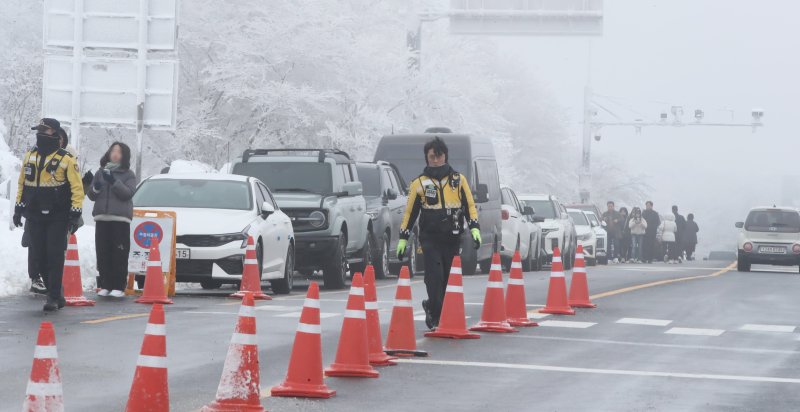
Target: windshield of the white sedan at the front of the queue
x: 194, y: 193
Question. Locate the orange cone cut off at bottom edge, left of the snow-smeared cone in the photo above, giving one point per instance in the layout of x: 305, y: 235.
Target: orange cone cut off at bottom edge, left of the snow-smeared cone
x: 150, y: 391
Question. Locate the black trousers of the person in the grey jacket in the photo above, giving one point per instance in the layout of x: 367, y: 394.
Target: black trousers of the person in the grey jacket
x: 112, y: 244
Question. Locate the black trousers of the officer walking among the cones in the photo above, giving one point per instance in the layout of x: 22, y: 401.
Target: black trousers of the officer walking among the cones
x: 438, y: 255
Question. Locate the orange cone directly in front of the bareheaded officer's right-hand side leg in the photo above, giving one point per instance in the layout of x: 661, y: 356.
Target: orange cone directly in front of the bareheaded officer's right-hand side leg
x: 453, y: 323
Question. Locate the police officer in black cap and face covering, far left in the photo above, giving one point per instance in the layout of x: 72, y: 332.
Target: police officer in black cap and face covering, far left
x: 50, y: 197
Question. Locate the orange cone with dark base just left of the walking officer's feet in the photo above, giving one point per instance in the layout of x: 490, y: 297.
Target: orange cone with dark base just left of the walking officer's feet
x: 401, y: 339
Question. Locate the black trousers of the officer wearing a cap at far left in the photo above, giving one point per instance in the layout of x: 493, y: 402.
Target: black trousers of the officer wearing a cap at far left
x: 49, y: 244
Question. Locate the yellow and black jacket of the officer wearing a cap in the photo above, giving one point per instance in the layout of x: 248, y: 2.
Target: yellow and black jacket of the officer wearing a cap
x: 50, y: 186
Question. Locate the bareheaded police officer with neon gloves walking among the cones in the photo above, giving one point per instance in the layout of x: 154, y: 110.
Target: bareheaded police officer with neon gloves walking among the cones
x: 443, y: 201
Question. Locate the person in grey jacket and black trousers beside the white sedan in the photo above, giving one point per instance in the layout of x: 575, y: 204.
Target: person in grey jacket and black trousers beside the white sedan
x: 112, y: 189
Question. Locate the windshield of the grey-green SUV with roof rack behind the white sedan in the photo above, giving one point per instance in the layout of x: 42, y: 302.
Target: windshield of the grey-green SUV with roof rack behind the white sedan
x: 311, y: 177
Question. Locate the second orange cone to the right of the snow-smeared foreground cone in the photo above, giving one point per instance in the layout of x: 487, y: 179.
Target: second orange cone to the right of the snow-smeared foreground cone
x: 352, y: 356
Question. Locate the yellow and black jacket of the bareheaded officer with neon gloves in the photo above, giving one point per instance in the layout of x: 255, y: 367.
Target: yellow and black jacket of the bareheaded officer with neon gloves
x: 442, y: 206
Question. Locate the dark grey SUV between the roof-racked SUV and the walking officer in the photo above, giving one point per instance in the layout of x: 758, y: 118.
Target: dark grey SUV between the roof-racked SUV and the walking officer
x: 385, y: 193
